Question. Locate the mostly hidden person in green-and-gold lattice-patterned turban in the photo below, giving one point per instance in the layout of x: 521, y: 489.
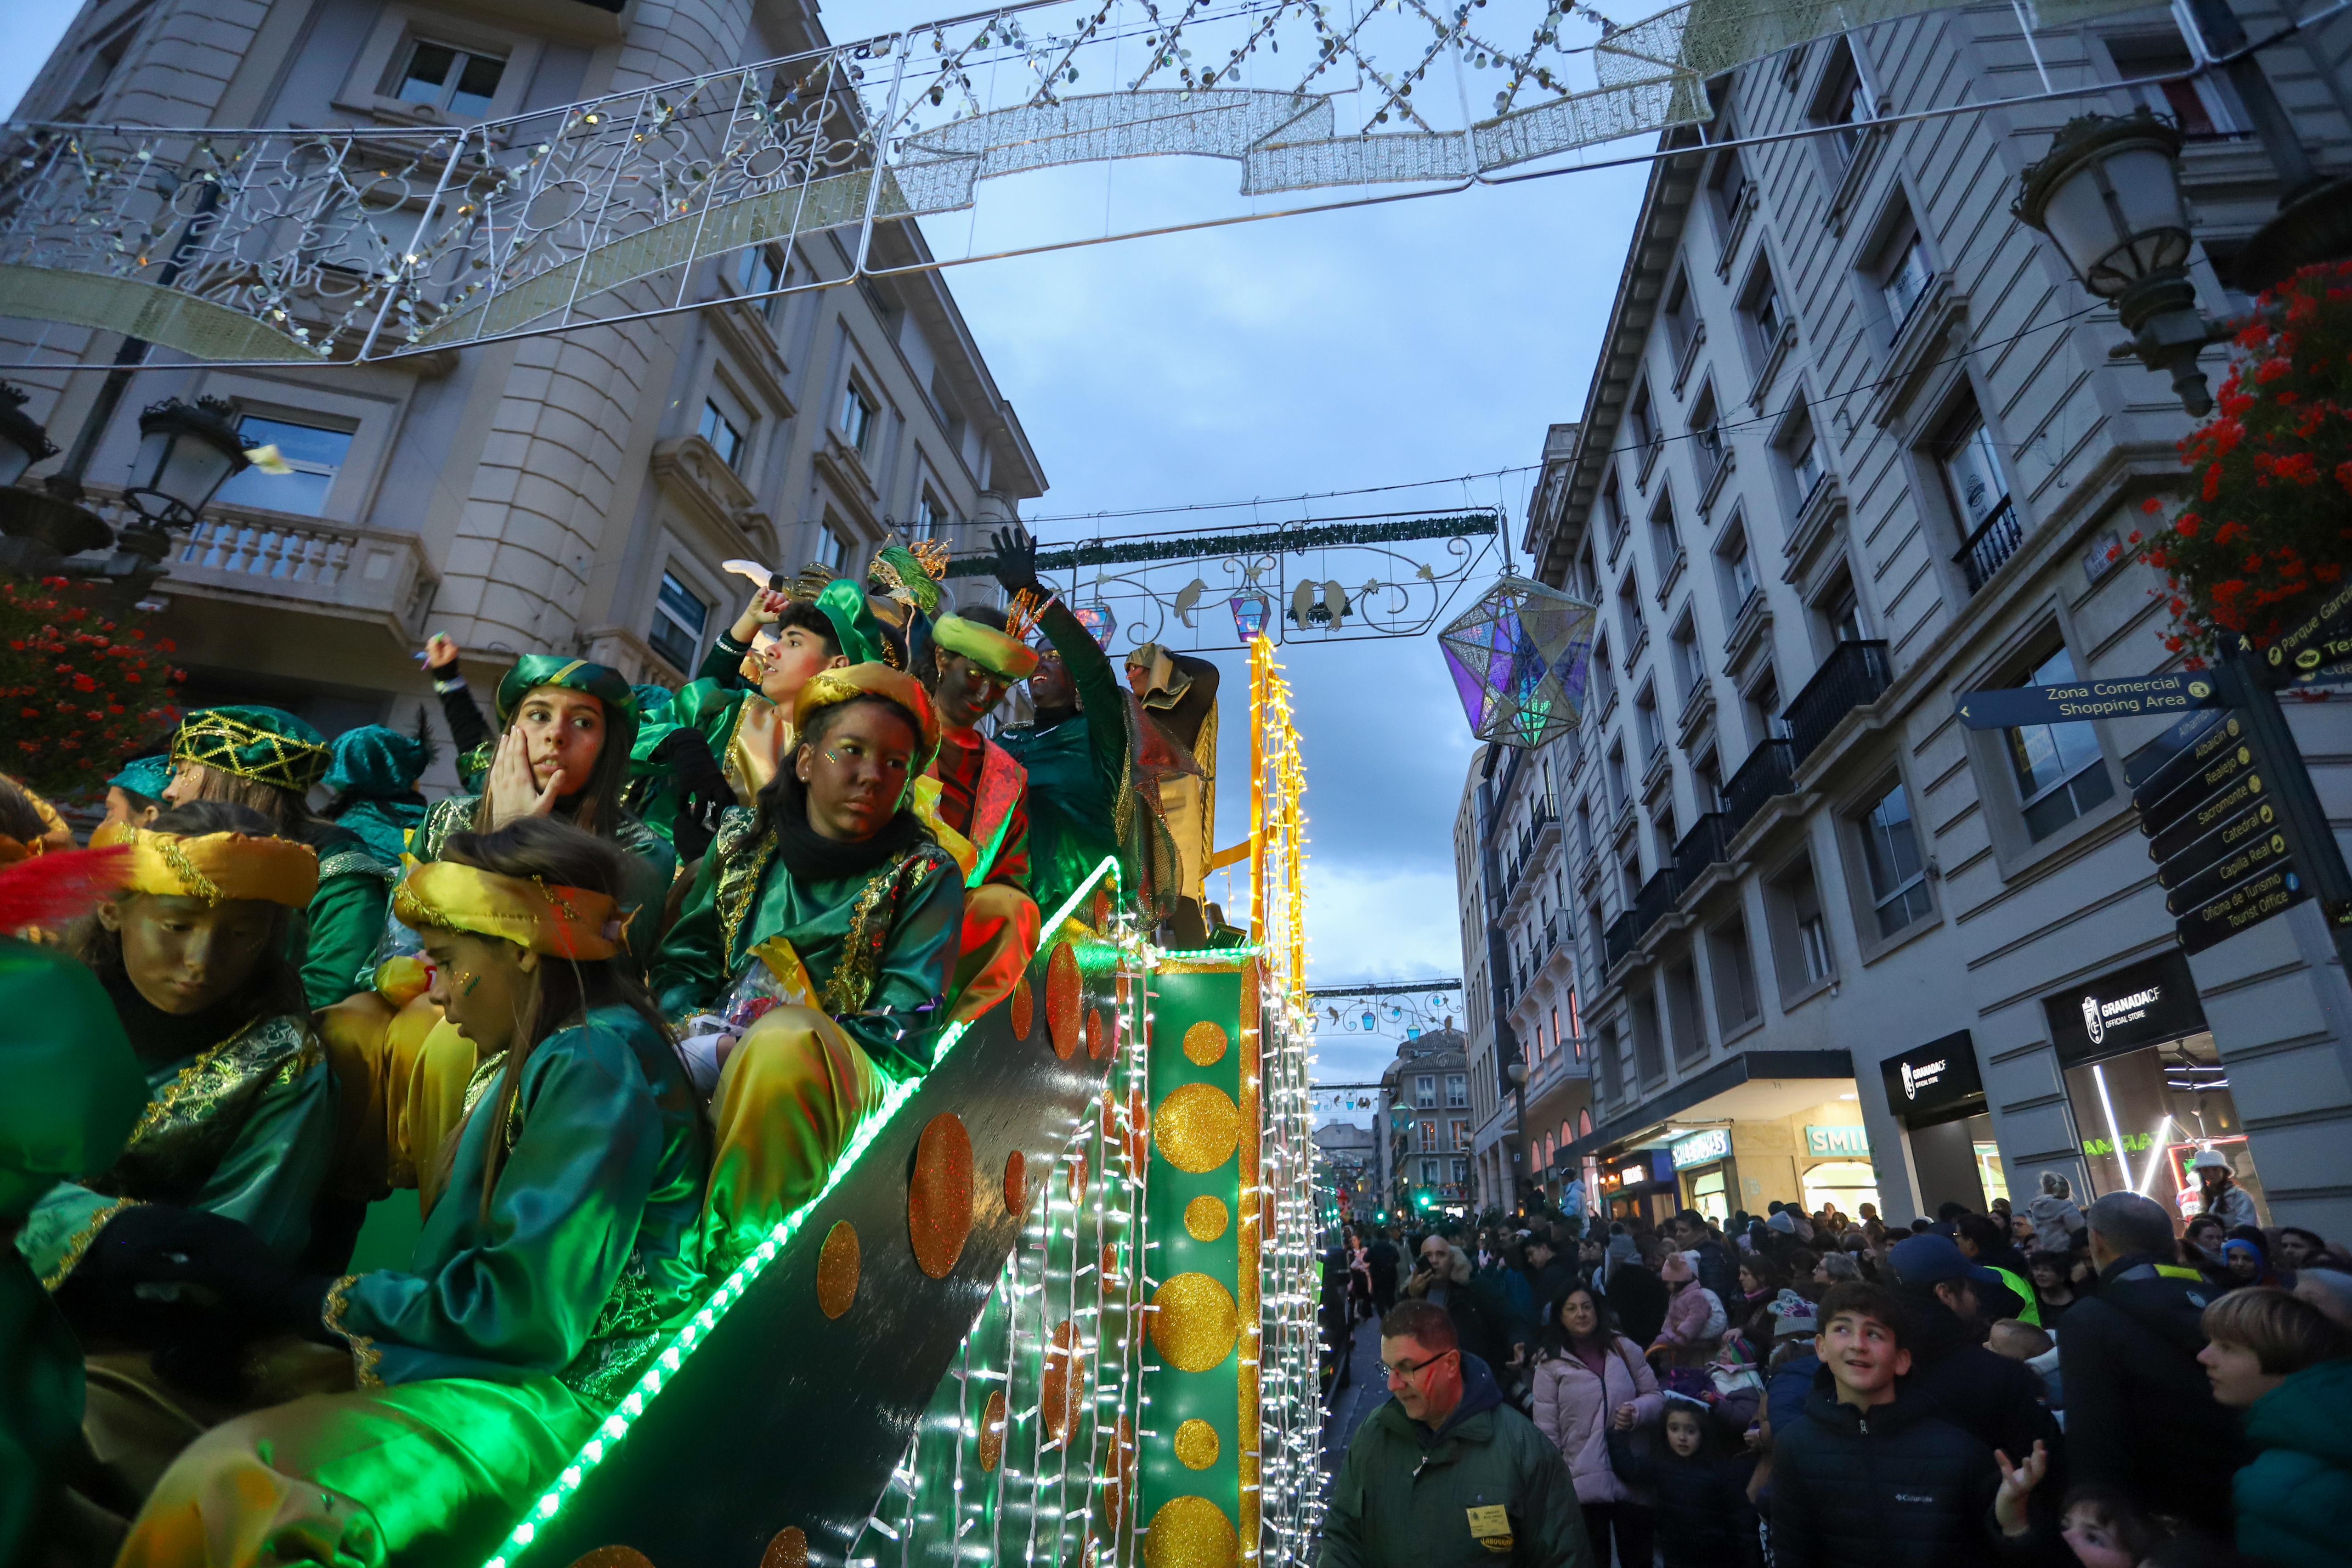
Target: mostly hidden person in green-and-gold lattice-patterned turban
x: 269, y: 760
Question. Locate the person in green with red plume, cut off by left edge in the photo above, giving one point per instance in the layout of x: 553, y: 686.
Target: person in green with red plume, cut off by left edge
x: 74, y: 1097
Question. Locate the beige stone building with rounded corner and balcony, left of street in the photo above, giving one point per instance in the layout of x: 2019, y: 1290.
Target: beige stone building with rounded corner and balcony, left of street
x: 568, y: 492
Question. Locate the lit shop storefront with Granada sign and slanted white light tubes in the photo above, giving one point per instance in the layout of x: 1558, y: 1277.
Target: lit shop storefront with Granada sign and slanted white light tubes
x: 2146, y: 1085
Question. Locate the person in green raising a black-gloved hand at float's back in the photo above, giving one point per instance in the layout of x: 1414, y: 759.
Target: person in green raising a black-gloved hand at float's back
x: 1078, y: 753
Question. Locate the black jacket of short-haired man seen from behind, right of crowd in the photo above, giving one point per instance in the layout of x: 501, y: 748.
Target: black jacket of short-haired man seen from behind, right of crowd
x: 2139, y: 1412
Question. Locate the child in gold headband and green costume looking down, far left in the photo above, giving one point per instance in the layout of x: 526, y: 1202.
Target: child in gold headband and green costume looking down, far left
x: 239, y: 1106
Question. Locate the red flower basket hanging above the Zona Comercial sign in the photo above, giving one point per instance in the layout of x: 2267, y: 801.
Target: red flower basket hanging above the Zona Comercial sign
x: 2269, y: 528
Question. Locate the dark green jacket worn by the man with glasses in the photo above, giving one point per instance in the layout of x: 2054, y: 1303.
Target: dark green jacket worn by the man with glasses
x: 1405, y: 1494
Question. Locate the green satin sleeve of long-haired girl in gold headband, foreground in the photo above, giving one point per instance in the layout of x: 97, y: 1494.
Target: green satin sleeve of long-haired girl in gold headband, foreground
x: 523, y: 1292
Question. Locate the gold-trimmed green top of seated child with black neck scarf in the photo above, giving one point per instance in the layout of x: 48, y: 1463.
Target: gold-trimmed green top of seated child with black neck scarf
x: 747, y: 894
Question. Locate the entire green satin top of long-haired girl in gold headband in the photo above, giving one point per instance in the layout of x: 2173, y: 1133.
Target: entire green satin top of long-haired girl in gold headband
x: 587, y: 1259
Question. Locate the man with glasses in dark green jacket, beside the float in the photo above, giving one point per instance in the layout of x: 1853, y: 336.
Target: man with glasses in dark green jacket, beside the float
x: 1448, y: 1475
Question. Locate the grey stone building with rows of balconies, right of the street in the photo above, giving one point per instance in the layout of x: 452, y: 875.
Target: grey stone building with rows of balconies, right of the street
x: 1852, y: 450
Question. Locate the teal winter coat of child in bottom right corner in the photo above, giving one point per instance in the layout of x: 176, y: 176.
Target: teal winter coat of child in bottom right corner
x: 2297, y: 1494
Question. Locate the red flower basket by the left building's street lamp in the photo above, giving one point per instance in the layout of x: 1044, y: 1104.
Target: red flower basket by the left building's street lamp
x: 76, y: 692
